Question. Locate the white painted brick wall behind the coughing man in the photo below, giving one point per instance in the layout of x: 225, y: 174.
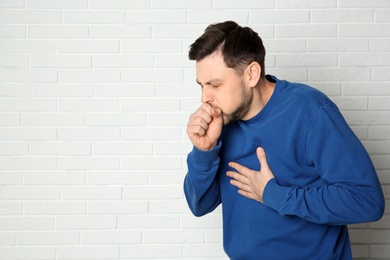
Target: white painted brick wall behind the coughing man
x: 95, y: 96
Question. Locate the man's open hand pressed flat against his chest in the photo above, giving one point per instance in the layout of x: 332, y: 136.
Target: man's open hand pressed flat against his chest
x: 251, y: 183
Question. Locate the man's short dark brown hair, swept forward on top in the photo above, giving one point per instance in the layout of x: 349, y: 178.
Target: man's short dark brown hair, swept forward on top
x: 239, y: 45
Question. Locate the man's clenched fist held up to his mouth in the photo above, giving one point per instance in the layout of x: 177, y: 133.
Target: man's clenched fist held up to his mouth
x: 205, y: 127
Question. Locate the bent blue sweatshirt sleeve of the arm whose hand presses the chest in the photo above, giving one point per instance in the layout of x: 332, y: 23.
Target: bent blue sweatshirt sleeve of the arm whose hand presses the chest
x: 352, y: 194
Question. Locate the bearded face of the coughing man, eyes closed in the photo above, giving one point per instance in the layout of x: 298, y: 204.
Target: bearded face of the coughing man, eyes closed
x: 223, y: 88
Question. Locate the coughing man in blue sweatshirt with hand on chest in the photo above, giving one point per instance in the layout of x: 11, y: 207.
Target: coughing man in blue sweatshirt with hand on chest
x: 279, y: 156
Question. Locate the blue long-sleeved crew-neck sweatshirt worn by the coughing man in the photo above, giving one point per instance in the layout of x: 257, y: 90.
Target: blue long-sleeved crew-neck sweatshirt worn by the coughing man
x: 324, y: 180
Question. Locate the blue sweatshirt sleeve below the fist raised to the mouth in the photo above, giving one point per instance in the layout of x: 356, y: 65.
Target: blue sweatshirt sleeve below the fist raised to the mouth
x: 201, y: 185
